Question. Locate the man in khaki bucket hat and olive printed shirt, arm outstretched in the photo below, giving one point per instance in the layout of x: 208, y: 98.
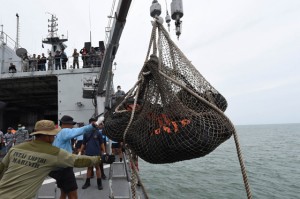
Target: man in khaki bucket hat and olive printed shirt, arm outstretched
x: 25, y: 166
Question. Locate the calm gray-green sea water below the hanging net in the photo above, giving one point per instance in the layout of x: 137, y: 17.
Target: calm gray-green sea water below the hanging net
x: 272, y: 159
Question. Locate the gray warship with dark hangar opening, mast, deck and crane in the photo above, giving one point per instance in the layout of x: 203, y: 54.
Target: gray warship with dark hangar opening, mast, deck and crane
x: 83, y: 93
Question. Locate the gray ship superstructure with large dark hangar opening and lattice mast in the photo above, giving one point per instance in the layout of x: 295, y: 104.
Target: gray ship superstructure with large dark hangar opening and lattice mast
x: 33, y: 95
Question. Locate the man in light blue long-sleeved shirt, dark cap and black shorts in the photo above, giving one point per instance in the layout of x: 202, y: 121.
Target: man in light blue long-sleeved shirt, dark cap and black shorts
x: 65, y: 178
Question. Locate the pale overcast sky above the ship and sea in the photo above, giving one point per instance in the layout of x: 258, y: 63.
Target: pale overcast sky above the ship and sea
x: 249, y: 50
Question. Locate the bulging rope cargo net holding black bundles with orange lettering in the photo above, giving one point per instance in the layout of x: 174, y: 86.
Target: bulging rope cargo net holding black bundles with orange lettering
x: 172, y: 113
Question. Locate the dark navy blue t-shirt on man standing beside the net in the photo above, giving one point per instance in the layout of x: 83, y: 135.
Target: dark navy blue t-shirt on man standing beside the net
x: 92, y: 141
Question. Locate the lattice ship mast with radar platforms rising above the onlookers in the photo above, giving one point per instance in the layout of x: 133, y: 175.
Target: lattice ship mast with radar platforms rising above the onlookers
x: 57, y: 43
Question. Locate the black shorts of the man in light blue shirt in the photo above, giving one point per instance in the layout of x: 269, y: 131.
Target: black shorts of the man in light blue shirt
x: 65, y: 179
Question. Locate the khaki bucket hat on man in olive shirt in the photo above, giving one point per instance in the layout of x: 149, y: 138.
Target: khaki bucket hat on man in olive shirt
x: 45, y: 127
